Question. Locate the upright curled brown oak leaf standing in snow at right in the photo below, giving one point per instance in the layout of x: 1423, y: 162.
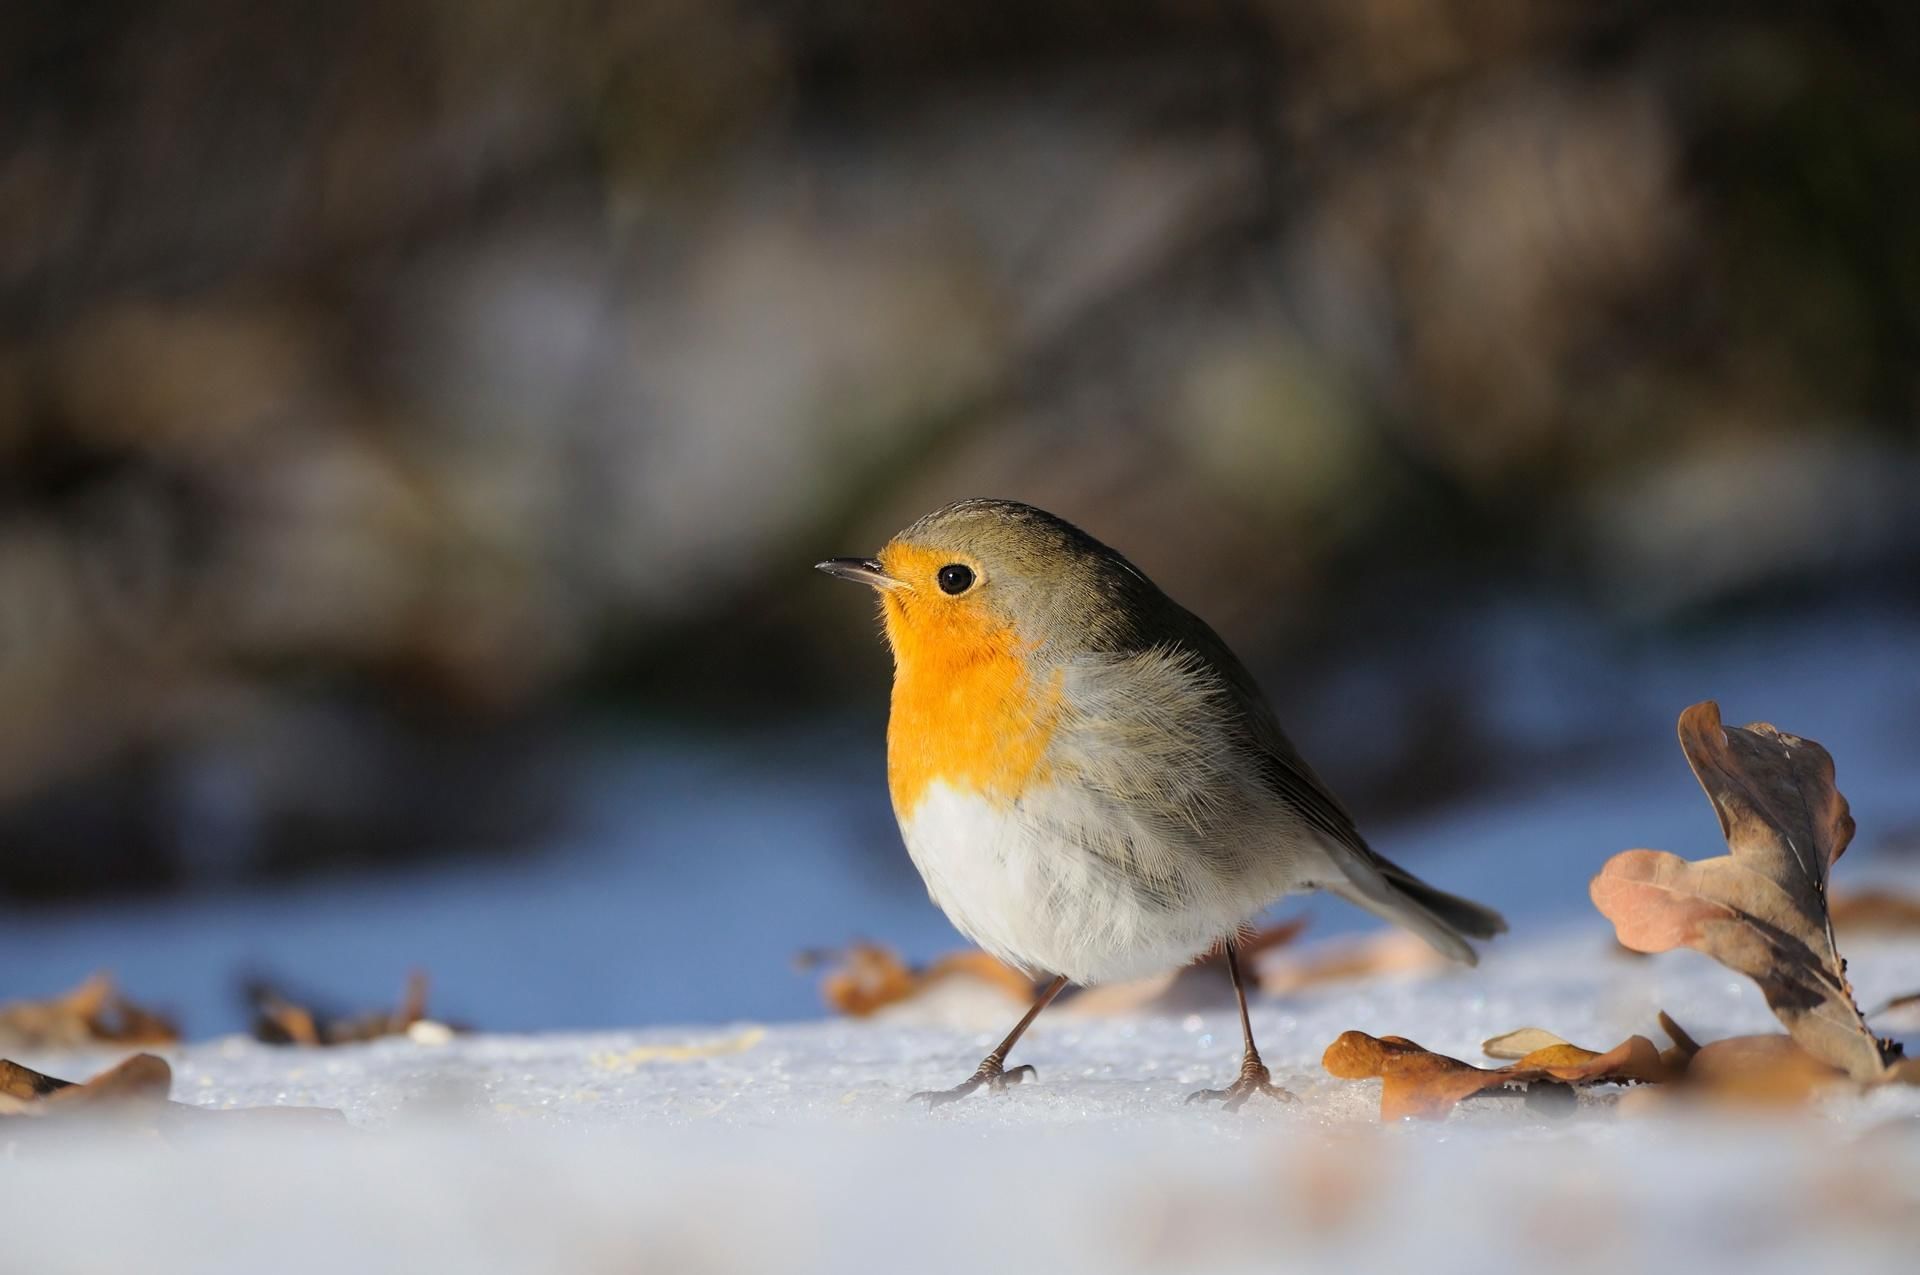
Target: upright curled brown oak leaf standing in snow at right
x: 1760, y: 909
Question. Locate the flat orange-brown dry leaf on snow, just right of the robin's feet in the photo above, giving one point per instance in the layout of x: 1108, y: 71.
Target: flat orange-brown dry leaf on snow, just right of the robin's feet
x: 1428, y: 1086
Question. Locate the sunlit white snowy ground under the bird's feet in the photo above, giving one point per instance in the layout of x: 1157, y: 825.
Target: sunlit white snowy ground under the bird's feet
x: 792, y: 1147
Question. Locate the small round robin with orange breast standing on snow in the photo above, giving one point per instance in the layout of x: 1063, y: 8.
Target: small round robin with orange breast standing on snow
x: 1090, y: 782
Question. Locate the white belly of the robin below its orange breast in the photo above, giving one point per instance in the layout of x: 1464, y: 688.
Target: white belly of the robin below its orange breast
x: 1047, y: 905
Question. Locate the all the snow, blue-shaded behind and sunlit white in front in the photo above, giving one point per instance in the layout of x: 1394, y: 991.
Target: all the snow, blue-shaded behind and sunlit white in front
x: 756, y: 1136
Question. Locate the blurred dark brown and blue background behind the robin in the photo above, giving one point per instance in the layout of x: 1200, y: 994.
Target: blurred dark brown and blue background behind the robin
x: 418, y: 421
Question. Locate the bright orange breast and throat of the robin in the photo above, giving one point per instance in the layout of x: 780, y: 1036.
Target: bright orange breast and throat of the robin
x: 967, y: 710
